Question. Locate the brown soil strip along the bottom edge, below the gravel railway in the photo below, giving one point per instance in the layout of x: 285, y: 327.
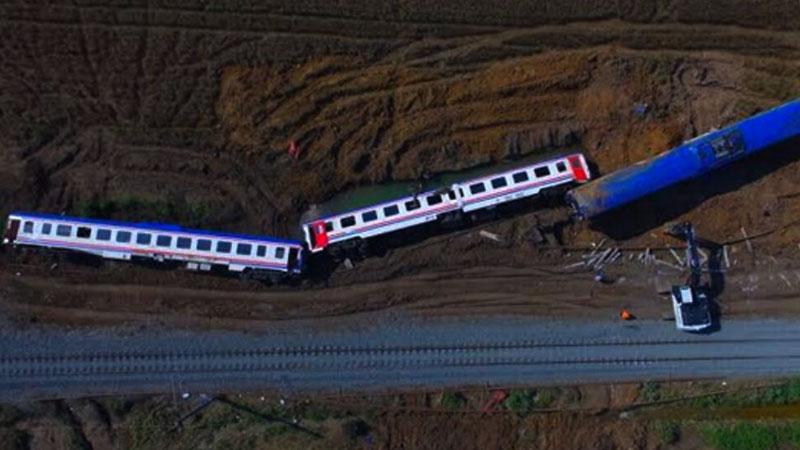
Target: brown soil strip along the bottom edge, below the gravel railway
x: 581, y: 417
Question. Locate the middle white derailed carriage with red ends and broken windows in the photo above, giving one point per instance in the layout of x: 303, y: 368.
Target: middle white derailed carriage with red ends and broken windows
x: 345, y: 223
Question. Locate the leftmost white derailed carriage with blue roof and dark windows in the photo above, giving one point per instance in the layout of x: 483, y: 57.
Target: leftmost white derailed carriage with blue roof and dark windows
x: 257, y: 256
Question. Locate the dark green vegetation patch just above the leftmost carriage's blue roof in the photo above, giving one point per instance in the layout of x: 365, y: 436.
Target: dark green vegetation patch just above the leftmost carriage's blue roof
x: 138, y: 209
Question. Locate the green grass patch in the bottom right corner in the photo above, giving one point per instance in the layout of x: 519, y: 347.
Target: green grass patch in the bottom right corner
x: 751, y: 435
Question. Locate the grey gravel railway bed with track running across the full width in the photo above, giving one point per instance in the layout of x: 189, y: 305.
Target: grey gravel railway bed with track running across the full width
x: 124, y: 365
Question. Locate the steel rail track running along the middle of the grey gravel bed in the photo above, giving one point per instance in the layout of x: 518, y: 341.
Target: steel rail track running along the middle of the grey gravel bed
x: 353, y: 357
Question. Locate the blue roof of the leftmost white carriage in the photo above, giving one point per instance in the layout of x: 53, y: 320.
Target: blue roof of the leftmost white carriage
x: 165, y: 227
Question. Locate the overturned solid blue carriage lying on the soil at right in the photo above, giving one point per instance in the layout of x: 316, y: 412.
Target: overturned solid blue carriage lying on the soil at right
x: 689, y: 160
